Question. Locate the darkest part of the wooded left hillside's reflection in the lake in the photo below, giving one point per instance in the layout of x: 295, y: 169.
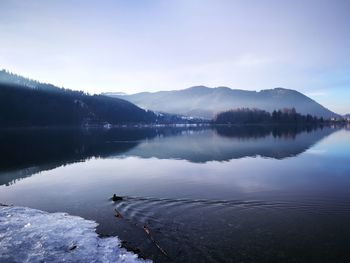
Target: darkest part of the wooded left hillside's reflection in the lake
x: 23, y: 148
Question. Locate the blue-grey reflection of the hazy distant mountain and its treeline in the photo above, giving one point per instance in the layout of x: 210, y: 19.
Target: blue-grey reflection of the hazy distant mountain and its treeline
x: 231, y: 142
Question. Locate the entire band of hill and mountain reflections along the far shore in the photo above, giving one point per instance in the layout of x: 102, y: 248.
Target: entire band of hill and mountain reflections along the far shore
x: 29, y: 151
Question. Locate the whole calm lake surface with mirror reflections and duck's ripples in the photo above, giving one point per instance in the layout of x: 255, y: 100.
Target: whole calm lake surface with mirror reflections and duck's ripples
x: 224, y: 194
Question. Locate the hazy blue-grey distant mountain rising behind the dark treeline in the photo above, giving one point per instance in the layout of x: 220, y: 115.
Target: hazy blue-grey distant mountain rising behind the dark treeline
x: 201, y: 101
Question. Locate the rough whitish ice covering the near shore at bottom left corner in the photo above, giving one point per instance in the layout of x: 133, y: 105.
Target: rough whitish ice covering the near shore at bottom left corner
x: 30, y: 235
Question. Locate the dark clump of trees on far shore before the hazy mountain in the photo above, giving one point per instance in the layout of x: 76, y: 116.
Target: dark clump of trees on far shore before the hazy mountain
x: 257, y: 116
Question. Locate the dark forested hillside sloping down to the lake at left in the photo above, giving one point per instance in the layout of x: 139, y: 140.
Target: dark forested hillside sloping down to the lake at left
x: 25, y: 102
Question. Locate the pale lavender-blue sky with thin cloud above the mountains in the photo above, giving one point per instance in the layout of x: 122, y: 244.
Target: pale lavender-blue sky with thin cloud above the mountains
x: 149, y: 45
